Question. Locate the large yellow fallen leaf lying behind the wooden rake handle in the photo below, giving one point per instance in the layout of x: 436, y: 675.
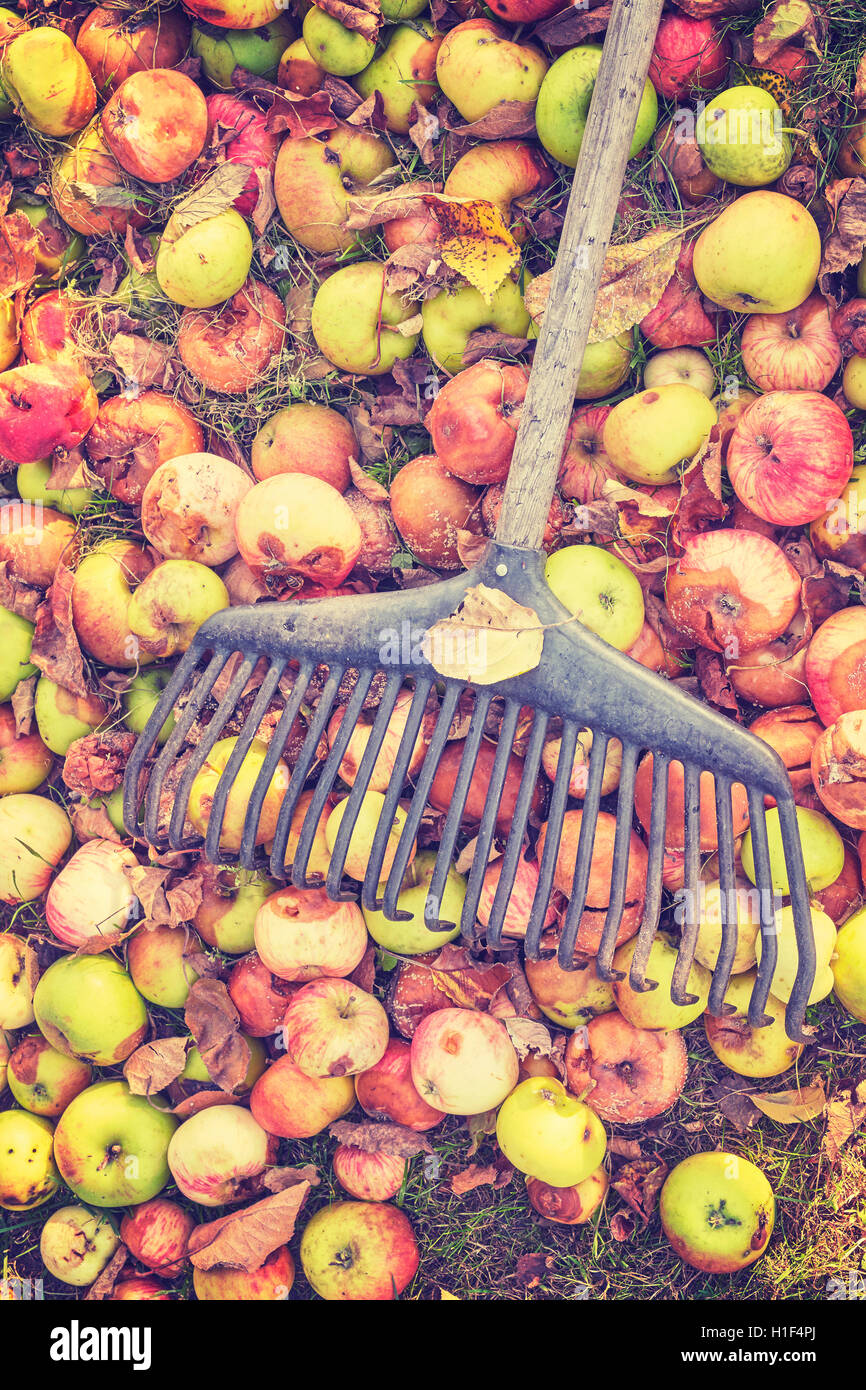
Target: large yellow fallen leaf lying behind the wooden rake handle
x: 633, y: 283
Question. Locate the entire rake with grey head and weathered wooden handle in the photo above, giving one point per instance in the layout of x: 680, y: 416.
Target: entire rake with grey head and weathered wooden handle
x: 334, y: 647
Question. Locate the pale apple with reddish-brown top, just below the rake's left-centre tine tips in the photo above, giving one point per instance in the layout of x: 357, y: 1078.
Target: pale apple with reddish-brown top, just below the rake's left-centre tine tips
x: 302, y: 936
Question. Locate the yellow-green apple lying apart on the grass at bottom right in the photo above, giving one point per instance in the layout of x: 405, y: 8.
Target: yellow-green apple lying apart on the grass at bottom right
x: 718, y: 1213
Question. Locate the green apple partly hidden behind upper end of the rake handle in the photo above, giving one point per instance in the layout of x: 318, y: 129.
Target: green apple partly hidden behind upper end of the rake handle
x: 564, y: 105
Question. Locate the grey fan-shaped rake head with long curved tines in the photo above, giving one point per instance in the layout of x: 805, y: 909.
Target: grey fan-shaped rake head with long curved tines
x: 365, y: 654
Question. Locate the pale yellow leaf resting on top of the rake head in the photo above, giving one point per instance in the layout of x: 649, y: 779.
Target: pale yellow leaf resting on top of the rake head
x: 489, y: 640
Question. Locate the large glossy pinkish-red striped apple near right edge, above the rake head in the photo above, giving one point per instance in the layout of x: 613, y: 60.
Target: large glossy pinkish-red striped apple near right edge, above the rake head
x: 790, y: 457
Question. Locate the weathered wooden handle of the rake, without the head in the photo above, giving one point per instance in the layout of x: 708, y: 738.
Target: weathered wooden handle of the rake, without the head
x: 596, y: 193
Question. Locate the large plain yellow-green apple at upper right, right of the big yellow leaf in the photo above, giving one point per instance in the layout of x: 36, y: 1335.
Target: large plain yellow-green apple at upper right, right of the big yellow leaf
x: 760, y: 256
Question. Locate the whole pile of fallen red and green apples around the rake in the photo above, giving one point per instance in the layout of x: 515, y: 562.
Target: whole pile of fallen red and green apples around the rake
x: 251, y: 263
